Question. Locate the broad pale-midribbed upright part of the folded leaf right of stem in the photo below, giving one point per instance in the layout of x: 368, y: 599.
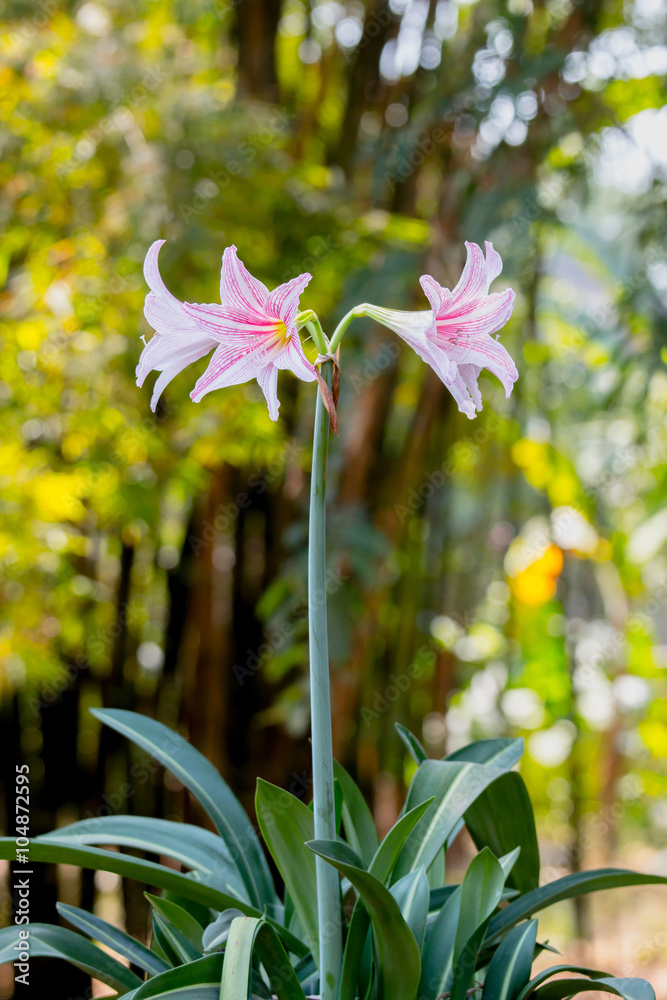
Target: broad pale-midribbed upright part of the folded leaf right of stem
x: 454, y: 786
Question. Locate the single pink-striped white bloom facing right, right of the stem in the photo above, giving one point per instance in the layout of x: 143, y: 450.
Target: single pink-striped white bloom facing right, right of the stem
x: 455, y: 335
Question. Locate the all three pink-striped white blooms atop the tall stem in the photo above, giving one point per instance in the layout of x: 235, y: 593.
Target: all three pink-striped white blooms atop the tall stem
x: 254, y: 332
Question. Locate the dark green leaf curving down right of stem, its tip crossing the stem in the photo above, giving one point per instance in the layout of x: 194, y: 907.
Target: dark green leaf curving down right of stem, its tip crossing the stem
x: 397, y: 954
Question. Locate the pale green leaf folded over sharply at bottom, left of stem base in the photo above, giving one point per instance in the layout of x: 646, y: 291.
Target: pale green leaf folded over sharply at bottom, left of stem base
x: 248, y: 935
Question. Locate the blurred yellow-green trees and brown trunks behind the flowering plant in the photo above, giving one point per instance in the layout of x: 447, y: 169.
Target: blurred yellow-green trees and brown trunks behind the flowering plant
x: 505, y: 576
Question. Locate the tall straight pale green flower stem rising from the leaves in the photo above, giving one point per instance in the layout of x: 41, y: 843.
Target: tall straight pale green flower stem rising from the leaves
x: 328, y: 891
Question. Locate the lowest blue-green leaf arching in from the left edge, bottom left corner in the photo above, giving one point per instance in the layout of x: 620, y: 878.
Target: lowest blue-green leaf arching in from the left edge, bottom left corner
x: 48, y: 941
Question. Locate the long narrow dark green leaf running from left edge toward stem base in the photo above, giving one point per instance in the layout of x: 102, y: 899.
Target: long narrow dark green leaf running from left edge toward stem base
x: 144, y: 871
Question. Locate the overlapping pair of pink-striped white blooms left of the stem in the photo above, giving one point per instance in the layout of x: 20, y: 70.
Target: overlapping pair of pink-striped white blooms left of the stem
x: 252, y: 330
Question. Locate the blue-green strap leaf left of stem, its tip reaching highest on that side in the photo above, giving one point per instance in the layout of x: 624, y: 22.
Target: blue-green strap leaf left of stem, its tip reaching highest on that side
x: 208, y: 787
